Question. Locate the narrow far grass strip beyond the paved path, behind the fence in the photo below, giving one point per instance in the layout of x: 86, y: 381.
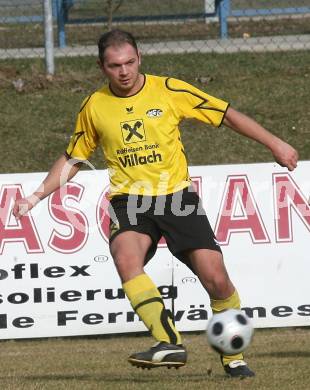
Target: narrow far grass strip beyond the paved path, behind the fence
x: 32, y: 35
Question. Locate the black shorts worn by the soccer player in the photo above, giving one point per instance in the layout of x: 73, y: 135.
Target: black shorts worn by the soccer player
x: 178, y: 217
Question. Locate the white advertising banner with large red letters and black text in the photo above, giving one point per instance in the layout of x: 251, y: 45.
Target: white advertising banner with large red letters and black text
x: 57, y: 277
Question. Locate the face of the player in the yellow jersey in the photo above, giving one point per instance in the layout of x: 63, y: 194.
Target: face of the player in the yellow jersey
x: 121, y: 67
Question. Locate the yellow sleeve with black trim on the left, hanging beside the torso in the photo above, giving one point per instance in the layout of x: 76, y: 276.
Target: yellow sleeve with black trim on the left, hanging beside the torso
x: 85, y: 138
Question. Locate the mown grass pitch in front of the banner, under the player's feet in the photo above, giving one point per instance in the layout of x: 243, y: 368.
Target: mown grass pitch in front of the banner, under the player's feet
x: 279, y: 357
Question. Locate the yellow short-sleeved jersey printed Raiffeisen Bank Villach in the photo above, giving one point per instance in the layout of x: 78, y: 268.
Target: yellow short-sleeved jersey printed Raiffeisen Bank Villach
x: 140, y: 135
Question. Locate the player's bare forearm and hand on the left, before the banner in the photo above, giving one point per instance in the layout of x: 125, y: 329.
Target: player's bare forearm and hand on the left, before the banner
x: 62, y: 171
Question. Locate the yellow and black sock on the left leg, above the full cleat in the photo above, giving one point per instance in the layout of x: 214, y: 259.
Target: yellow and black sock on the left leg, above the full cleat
x: 148, y: 304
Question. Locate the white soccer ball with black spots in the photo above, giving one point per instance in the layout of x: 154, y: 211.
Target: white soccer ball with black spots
x: 229, y: 332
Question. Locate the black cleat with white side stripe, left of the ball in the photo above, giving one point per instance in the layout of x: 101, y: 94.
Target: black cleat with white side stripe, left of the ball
x: 162, y: 354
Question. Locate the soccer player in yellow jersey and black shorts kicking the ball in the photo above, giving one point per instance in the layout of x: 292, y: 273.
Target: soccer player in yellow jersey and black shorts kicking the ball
x: 135, y: 119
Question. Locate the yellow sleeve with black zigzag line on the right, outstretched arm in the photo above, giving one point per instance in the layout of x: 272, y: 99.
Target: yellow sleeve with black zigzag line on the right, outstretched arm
x: 191, y: 102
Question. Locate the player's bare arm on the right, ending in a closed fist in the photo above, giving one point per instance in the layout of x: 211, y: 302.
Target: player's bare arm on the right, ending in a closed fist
x: 283, y: 153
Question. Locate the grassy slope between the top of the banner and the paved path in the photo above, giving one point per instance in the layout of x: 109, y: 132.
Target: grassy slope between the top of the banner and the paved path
x: 36, y: 123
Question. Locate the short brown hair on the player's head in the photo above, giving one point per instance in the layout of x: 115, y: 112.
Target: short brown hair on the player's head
x: 115, y: 38
